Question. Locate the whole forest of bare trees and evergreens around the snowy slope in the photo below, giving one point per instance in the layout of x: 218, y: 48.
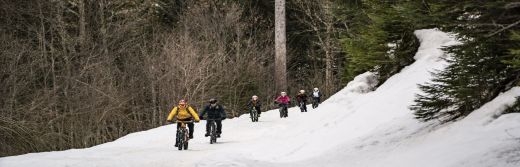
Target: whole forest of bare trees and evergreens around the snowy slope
x: 77, y: 73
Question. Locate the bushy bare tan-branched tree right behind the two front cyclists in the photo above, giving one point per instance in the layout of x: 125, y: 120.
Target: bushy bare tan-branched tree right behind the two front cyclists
x: 218, y: 59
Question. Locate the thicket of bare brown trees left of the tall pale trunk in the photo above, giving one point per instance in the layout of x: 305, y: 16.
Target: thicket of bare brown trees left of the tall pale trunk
x: 77, y: 73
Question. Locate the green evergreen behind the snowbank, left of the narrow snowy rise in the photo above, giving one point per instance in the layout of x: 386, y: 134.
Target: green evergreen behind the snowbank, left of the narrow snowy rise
x: 381, y: 38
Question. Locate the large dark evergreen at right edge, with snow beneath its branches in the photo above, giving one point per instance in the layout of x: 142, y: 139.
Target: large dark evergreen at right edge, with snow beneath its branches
x: 478, y: 71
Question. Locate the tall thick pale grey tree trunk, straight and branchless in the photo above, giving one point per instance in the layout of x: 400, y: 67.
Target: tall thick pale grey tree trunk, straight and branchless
x: 280, y: 64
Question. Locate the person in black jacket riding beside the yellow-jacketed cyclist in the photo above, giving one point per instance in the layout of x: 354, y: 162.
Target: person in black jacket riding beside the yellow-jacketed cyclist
x: 215, y: 112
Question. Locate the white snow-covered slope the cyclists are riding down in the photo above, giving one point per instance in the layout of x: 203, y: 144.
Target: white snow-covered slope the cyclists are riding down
x: 358, y: 126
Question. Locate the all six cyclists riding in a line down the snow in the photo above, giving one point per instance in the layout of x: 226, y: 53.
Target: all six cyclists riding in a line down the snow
x: 215, y: 111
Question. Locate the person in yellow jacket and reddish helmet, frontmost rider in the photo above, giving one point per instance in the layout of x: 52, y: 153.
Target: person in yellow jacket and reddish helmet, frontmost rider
x: 184, y: 112
